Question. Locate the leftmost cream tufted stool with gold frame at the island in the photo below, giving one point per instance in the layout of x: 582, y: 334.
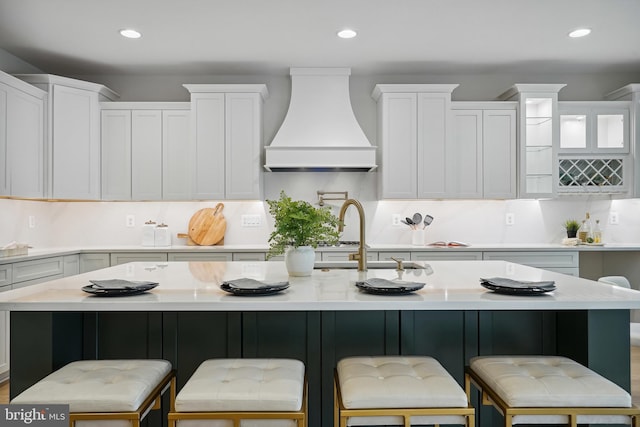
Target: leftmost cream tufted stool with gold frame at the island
x: 121, y: 392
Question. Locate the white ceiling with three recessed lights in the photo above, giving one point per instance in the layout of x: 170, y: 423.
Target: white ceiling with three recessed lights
x: 73, y: 37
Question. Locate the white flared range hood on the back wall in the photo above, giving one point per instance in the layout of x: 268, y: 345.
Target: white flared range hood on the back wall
x: 320, y: 131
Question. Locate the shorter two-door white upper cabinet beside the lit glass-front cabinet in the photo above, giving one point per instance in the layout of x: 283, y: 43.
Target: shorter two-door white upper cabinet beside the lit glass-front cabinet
x: 484, y: 146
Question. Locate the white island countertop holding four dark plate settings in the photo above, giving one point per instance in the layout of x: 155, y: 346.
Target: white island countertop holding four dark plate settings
x: 194, y: 286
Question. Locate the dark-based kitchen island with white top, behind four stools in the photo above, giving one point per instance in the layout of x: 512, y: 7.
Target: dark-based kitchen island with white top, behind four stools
x: 318, y: 319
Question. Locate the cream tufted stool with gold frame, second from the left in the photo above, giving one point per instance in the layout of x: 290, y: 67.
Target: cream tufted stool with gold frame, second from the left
x: 243, y: 392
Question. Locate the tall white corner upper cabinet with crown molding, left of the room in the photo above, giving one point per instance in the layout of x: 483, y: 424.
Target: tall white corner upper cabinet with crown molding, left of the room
x: 73, y: 143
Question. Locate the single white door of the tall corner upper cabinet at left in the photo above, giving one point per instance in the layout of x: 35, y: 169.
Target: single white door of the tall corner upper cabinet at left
x: 76, y: 144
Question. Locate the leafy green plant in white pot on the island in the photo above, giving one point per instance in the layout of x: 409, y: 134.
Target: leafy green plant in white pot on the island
x: 298, y: 229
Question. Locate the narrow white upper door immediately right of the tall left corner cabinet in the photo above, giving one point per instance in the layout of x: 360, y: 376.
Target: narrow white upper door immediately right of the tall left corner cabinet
x: 115, y: 136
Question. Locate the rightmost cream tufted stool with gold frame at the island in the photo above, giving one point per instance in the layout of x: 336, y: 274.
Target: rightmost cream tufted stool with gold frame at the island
x: 548, y: 390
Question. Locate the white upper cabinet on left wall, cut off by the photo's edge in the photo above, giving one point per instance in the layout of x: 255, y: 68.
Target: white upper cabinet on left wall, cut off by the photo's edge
x: 22, y: 118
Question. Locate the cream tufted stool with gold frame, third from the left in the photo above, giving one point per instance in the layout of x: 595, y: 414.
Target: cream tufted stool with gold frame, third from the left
x: 397, y: 390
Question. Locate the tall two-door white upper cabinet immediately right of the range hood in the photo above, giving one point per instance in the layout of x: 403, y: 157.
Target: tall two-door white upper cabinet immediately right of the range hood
x: 414, y: 130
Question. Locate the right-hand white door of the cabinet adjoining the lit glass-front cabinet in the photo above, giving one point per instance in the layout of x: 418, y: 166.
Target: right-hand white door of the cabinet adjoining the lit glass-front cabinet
x: 499, y: 154
